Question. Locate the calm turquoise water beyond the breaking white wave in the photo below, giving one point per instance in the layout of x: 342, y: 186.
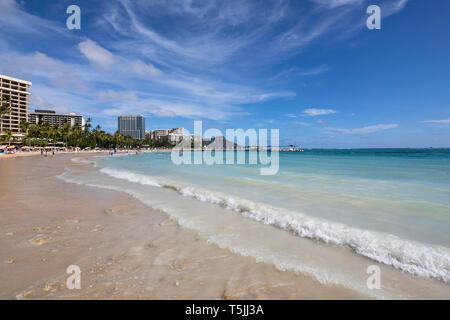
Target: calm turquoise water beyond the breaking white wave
x: 403, y: 191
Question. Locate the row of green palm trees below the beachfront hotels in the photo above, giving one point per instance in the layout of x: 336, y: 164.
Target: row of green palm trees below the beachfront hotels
x: 44, y: 134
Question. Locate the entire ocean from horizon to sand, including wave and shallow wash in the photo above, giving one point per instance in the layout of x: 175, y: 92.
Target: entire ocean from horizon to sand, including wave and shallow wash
x: 327, y: 213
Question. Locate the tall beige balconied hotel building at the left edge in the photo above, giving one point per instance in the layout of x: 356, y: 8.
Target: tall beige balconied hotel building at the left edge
x: 18, y: 92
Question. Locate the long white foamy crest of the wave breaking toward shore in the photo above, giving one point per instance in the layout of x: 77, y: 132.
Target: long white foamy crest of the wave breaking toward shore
x: 415, y: 258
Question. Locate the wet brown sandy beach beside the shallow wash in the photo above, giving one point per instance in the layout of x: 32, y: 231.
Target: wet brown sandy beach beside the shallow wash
x: 125, y: 250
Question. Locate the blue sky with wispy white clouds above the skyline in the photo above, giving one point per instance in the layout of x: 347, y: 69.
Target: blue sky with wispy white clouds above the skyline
x: 311, y: 68
